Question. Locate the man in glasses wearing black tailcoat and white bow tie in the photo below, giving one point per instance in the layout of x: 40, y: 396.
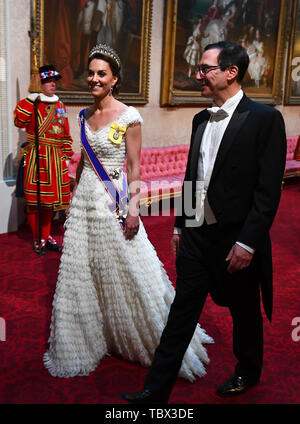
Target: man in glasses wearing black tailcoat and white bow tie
x: 235, y: 165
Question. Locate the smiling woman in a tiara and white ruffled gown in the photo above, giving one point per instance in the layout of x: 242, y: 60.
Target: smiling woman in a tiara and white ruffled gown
x: 113, y: 294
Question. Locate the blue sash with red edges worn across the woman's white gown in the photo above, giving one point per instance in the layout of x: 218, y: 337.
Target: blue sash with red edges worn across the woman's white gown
x: 119, y: 200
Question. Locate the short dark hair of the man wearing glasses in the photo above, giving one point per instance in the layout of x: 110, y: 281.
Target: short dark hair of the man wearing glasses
x: 231, y: 54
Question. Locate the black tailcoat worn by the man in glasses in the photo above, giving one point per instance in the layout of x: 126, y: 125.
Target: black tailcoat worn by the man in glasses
x: 245, y: 185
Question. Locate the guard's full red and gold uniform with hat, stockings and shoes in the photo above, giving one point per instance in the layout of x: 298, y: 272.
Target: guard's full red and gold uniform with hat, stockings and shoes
x: 55, y: 148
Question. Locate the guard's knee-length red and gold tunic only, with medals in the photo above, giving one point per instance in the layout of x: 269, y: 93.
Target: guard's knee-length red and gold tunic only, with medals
x: 55, y: 147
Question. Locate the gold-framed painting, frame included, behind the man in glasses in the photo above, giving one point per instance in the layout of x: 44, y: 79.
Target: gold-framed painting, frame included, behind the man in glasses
x: 190, y: 25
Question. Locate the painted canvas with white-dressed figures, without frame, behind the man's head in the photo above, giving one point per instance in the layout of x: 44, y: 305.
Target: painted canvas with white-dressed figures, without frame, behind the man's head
x: 254, y: 24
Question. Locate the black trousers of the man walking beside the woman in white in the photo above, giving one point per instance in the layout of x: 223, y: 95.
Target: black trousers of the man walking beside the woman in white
x: 202, y: 269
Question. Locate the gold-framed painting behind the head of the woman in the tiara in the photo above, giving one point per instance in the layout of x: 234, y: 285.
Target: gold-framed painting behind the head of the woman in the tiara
x: 63, y: 32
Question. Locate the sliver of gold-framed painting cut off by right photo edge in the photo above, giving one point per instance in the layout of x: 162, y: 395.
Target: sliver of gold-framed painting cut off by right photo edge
x: 292, y: 91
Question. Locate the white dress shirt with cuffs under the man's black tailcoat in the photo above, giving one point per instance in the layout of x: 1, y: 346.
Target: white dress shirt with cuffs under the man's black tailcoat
x: 215, y: 130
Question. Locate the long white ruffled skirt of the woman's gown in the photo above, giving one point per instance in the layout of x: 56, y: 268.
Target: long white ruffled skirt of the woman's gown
x: 112, y: 296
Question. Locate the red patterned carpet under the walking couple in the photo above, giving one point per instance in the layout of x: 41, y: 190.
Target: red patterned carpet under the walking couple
x: 27, y: 287
